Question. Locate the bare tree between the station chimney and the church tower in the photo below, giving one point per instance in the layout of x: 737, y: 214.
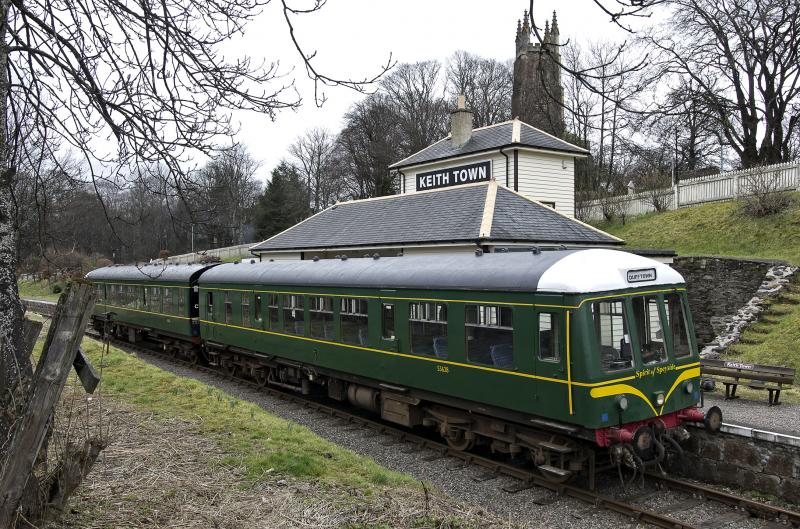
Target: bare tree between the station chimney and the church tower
x: 485, y: 83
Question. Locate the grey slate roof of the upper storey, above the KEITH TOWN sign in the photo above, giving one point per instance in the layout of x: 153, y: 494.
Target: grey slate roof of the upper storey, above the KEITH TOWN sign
x: 490, y: 138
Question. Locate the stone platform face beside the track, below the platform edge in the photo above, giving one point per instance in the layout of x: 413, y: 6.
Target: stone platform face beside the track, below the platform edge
x: 742, y: 462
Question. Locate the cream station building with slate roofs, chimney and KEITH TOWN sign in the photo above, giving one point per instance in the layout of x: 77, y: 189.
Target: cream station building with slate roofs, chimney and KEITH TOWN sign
x: 504, y: 187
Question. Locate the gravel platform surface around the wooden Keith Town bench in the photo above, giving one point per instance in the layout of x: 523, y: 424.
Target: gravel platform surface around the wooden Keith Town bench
x: 757, y: 413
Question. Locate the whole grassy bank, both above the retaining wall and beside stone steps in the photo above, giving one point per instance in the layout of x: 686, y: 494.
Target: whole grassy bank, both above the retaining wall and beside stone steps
x: 720, y: 229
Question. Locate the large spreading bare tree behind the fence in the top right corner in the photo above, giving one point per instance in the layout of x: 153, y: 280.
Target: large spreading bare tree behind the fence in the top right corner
x: 740, y: 58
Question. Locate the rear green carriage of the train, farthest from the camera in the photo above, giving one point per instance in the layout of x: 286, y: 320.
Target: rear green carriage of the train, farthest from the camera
x: 152, y: 300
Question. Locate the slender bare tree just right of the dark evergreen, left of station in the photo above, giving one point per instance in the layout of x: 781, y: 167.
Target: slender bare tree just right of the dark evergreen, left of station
x: 315, y: 155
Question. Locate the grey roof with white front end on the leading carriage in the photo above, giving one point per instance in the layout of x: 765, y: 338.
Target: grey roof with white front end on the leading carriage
x: 559, y: 271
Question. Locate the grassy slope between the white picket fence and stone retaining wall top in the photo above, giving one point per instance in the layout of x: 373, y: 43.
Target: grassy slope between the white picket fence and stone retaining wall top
x: 715, y: 229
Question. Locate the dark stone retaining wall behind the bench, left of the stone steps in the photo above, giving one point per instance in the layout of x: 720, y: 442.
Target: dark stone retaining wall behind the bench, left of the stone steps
x: 718, y: 287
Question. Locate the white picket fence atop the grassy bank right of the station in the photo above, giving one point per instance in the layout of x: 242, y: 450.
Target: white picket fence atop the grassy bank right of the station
x: 699, y: 190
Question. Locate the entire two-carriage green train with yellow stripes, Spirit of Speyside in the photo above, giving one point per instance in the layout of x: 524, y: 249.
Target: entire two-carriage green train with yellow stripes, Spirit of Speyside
x: 549, y: 354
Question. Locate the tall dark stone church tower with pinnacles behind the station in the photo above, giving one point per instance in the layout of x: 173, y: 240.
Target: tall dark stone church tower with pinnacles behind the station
x: 538, y: 96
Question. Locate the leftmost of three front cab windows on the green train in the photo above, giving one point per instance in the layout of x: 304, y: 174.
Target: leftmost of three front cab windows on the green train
x: 613, y: 336
